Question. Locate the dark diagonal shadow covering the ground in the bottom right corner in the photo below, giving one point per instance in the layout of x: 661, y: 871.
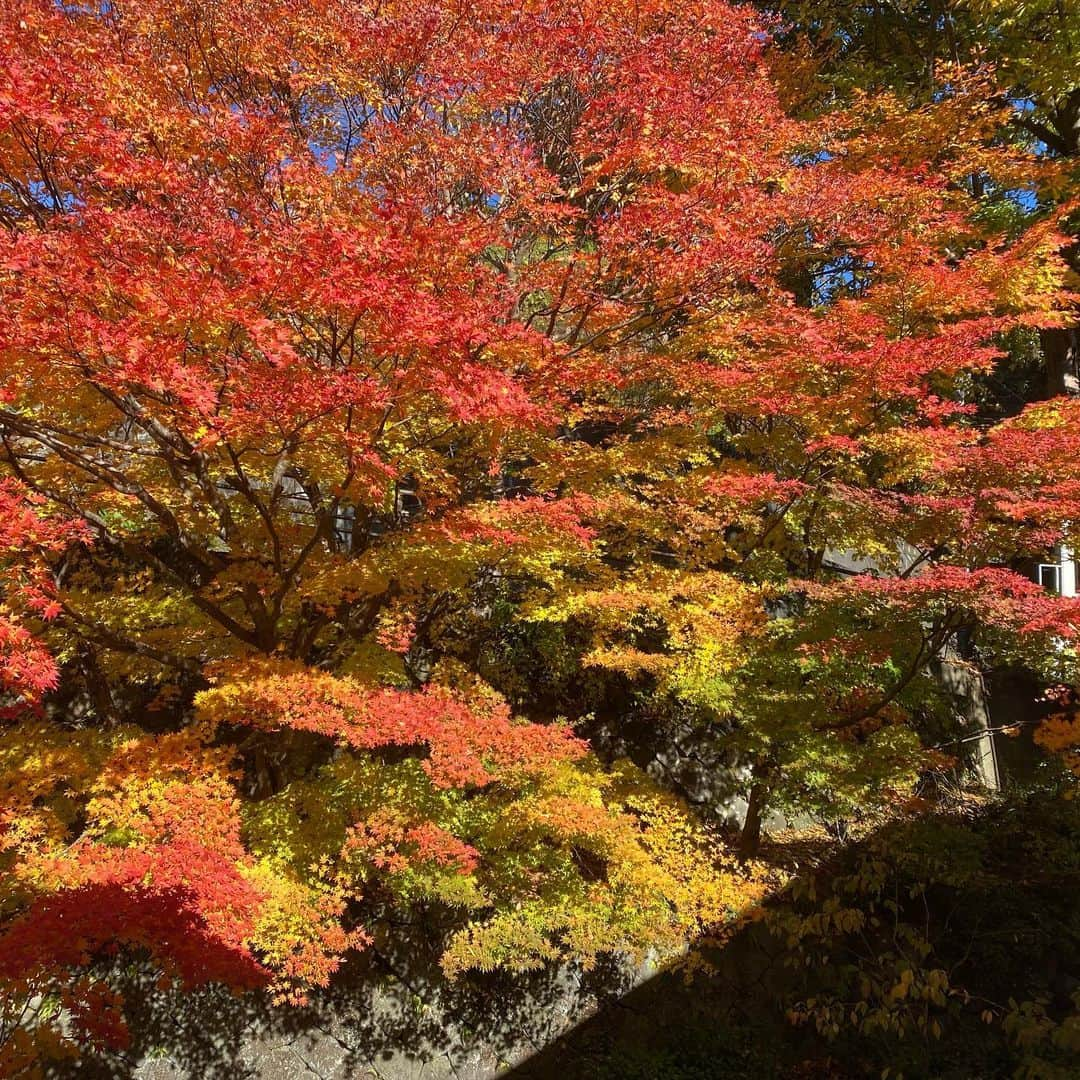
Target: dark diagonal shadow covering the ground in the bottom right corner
x: 991, y: 894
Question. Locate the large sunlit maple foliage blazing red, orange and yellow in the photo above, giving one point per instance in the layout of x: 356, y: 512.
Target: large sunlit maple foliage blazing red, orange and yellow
x: 382, y: 384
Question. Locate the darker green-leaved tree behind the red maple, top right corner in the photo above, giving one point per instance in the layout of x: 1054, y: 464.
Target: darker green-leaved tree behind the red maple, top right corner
x: 1028, y: 56
